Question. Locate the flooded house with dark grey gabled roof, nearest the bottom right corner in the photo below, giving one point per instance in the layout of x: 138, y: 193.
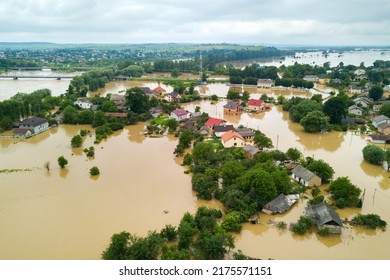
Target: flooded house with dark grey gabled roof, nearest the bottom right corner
x: 325, y: 216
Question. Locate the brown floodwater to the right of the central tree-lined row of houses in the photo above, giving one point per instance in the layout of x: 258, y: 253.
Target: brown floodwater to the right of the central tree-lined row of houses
x: 343, y: 151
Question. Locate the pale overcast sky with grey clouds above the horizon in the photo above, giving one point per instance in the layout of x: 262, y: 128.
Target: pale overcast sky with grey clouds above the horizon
x: 270, y: 22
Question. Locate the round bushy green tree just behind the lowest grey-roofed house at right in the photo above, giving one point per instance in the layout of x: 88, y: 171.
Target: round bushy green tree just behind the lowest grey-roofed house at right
x: 344, y: 192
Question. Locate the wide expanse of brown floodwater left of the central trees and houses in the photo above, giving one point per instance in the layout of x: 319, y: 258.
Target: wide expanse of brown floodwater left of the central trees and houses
x: 66, y: 214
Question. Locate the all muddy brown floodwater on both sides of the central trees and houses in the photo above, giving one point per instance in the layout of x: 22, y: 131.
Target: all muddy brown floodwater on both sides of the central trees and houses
x: 67, y: 214
